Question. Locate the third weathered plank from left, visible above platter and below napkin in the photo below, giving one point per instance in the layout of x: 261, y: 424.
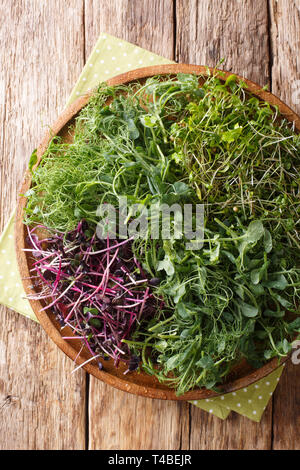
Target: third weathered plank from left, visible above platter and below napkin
x: 238, y: 31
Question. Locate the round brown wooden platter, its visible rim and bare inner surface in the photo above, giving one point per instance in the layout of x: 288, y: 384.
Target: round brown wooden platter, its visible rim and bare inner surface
x: 138, y: 383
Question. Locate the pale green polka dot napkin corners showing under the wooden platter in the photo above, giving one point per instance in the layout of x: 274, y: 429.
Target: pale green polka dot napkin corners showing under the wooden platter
x: 112, y: 56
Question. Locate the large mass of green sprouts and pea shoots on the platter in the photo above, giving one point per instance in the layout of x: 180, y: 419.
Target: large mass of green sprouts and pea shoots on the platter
x: 169, y: 141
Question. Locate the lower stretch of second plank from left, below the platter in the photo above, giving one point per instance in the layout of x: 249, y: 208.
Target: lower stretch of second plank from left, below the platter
x: 119, y: 420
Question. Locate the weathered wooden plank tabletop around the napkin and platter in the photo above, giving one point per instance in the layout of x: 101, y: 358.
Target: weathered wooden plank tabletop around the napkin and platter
x: 44, y: 45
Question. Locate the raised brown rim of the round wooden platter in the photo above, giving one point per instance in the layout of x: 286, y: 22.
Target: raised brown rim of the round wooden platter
x: 62, y: 121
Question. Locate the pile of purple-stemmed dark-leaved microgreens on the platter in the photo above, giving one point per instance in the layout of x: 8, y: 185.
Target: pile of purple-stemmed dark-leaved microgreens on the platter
x: 95, y: 287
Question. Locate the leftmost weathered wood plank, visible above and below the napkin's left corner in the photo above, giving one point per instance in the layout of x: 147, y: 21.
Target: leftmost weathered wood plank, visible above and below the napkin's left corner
x: 41, y: 405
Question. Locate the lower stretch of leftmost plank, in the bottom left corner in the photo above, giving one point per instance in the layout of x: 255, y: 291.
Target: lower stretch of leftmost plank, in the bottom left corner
x: 42, y: 406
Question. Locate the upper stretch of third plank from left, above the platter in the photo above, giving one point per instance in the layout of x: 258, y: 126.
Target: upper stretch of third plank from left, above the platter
x: 236, y: 30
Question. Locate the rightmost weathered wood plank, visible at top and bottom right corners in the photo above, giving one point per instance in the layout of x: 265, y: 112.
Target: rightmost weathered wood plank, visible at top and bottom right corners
x: 285, y: 44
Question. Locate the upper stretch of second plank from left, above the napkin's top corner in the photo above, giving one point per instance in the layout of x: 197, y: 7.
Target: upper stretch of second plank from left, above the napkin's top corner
x: 147, y: 24
